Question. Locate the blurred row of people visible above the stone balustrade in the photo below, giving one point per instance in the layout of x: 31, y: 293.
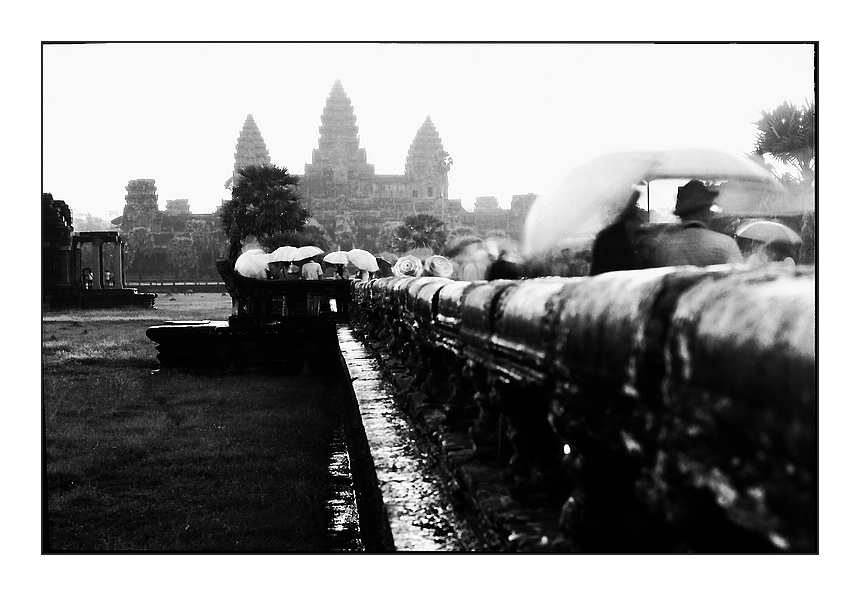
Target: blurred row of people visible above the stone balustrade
x: 624, y: 244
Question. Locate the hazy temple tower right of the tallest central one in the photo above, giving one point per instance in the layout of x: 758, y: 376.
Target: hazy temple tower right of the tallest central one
x: 427, y: 165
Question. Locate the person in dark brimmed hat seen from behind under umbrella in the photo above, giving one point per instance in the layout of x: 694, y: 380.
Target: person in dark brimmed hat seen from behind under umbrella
x: 694, y: 243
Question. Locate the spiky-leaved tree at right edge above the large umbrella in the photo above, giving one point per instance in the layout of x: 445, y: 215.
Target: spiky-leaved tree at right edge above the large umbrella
x: 787, y: 133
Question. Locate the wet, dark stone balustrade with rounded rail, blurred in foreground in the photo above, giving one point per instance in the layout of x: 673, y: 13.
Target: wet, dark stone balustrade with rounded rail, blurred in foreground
x: 669, y: 409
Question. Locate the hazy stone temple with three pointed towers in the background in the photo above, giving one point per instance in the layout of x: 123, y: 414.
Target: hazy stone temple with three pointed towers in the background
x: 345, y: 195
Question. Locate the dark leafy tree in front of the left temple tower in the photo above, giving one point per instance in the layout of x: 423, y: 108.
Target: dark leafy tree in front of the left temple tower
x: 265, y: 201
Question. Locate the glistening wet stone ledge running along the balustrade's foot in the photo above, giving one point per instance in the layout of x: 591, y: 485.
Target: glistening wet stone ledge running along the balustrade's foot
x: 416, y: 501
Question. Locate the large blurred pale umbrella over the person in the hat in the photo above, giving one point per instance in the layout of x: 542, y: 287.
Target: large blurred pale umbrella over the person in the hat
x: 596, y: 192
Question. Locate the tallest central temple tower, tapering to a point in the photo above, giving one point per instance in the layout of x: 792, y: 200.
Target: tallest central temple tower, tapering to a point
x: 339, y: 166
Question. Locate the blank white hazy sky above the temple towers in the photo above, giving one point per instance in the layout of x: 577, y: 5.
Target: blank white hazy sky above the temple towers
x: 515, y: 118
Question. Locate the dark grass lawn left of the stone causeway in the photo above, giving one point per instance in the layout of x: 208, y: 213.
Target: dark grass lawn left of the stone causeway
x: 177, y: 460
